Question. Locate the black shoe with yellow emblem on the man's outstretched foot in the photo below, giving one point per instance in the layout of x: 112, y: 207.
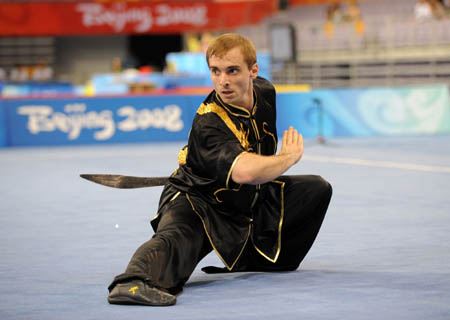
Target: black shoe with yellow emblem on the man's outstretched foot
x: 139, y: 292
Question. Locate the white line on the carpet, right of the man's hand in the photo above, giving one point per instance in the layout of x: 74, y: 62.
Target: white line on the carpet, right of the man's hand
x: 383, y: 164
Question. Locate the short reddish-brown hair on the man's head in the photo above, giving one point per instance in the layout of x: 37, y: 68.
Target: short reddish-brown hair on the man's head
x: 224, y: 43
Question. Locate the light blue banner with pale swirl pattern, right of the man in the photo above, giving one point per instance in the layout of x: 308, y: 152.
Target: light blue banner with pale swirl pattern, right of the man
x: 366, y: 112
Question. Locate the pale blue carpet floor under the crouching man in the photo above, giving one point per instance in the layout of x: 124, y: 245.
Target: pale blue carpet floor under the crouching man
x: 383, y: 251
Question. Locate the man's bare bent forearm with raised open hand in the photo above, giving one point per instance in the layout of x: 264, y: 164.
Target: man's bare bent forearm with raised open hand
x: 252, y: 168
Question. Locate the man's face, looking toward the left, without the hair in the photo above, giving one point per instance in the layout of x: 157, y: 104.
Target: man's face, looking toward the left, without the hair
x: 232, y: 79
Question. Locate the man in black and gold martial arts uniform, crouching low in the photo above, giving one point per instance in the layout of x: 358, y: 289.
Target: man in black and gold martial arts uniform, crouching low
x: 228, y: 194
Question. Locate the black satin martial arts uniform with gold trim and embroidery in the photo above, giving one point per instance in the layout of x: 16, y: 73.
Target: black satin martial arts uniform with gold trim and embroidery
x: 268, y: 227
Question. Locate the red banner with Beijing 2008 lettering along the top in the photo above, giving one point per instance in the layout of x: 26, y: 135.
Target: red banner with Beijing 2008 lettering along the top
x: 94, y: 18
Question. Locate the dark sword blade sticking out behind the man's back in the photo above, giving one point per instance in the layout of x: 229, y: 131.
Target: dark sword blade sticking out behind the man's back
x: 125, y: 182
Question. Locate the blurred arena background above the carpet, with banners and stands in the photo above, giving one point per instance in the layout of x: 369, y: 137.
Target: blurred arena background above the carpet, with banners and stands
x: 350, y: 67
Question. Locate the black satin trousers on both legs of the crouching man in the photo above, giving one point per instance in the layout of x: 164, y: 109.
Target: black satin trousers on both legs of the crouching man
x: 168, y: 259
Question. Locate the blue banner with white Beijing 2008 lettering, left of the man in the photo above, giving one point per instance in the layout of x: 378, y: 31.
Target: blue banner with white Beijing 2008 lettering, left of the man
x: 105, y: 120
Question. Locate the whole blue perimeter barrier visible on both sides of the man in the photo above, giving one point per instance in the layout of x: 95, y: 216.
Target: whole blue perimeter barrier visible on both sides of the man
x: 328, y: 113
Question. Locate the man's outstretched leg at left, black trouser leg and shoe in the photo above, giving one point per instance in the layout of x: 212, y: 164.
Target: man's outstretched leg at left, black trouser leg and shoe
x: 166, y: 261
